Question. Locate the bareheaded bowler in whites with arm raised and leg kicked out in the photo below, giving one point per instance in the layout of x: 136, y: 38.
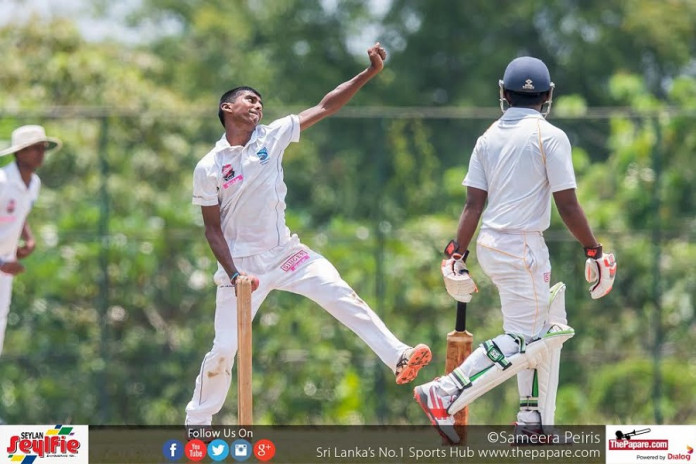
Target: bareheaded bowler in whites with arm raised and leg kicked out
x: 239, y: 187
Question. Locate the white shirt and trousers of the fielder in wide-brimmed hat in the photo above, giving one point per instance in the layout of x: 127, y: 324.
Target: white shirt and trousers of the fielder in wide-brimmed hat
x: 16, y: 201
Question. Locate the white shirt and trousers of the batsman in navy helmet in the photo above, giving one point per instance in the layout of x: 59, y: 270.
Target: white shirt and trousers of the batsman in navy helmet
x: 519, y: 161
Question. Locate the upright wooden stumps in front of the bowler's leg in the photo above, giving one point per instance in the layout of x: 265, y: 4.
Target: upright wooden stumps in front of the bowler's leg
x: 244, y: 393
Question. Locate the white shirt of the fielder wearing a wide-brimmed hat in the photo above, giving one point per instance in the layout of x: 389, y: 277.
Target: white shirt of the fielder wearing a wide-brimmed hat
x: 16, y: 201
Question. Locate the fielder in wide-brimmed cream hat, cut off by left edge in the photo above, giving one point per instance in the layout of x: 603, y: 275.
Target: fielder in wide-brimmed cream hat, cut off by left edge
x: 19, y: 189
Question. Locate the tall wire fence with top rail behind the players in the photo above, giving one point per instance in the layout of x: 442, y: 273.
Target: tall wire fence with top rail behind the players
x: 114, y: 313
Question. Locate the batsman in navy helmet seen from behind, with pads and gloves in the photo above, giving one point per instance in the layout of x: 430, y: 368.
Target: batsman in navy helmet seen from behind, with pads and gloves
x: 517, y: 165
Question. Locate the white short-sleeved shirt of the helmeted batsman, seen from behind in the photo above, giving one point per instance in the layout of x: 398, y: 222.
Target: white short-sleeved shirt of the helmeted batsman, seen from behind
x: 520, y: 161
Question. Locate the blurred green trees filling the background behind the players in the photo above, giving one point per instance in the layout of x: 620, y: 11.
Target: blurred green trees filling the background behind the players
x: 378, y: 191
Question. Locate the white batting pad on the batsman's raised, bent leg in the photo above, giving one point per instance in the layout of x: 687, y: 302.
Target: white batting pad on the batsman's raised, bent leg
x: 537, y: 352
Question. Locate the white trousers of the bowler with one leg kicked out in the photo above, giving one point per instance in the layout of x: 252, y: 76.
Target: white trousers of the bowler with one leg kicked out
x: 294, y: 268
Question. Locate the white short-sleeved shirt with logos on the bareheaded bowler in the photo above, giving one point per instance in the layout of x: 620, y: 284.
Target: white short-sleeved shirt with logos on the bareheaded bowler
x: 247, y: 183
